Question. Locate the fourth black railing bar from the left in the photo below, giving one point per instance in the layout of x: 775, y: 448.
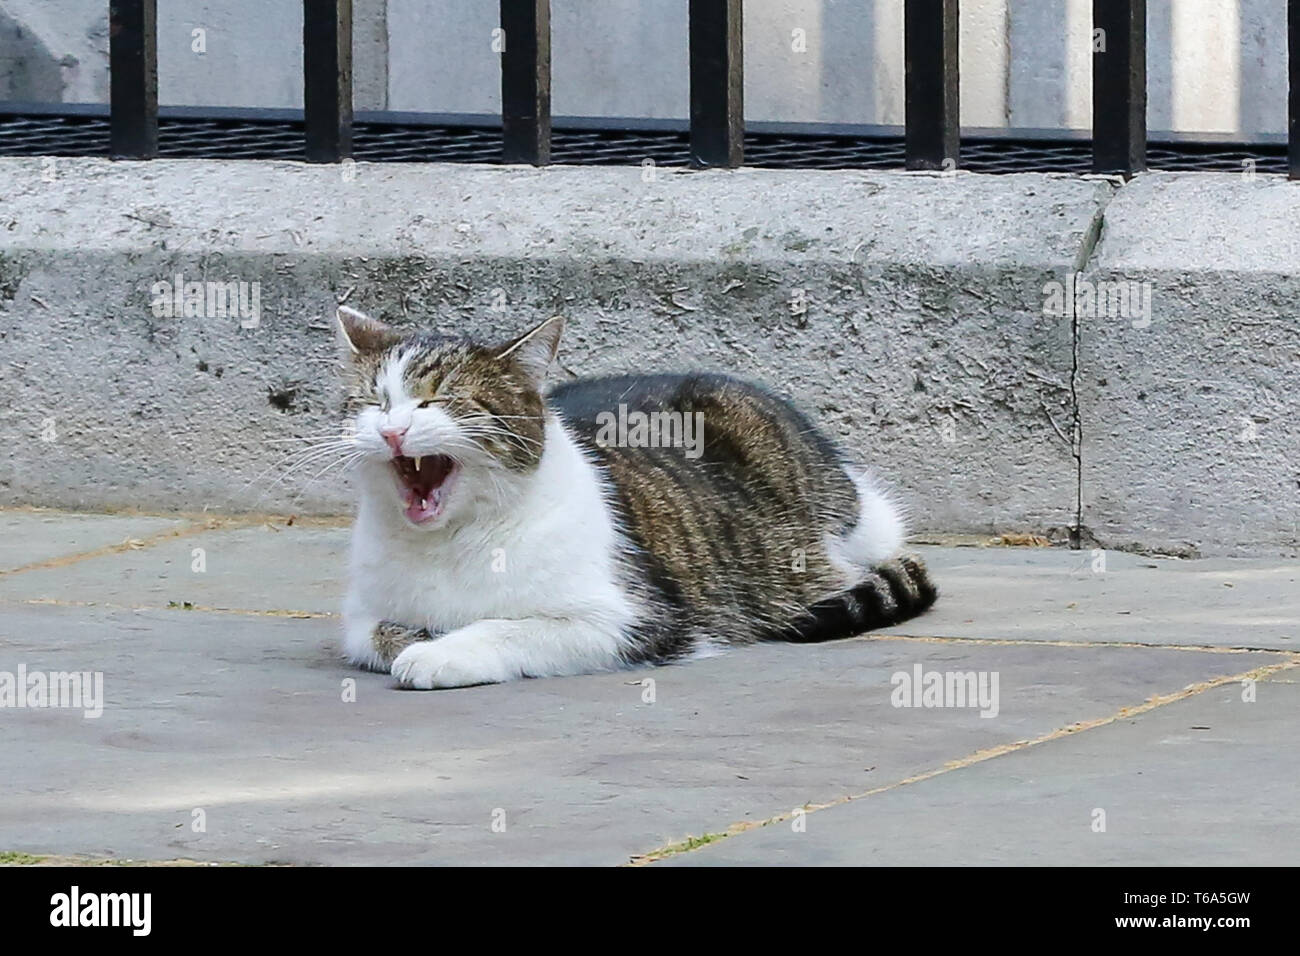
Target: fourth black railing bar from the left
x: 717, y: 84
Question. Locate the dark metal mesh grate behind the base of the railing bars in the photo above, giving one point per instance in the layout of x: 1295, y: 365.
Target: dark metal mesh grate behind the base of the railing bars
x: 388, y: 142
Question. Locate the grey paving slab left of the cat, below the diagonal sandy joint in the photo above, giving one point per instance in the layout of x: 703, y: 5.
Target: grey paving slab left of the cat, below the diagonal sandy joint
x: 262, y: 568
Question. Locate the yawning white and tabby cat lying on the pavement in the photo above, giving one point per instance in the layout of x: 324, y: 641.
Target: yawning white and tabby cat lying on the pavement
x: 506, y: 533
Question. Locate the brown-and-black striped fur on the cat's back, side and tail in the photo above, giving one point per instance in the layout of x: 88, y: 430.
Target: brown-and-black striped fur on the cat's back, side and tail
x: 731, y: 548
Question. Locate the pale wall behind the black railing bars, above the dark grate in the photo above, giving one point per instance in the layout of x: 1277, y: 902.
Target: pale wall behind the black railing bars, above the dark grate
x: 1215, y: 66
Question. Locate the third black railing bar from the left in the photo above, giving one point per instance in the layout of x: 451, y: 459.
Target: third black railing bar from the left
x: 526, y: 81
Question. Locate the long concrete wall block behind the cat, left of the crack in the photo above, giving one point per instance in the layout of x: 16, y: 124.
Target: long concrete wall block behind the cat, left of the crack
x: 903, y: 312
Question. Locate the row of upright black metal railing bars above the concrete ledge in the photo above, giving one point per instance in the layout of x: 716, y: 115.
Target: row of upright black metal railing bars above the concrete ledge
x: 717, y: 131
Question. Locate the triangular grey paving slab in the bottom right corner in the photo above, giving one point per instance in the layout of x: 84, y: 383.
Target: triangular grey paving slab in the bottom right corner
x: 1208, y: 781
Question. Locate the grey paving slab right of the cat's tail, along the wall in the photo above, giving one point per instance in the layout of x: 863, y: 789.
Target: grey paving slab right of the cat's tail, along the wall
x: 1058, y: 595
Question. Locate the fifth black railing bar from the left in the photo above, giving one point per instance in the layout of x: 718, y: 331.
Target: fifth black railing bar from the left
x: 933, y: 84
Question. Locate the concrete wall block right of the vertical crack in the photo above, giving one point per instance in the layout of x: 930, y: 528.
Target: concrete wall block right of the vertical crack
x: 1191, y: 416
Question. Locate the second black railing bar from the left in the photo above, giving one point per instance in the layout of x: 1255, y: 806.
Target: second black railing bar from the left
x: 328, y: 80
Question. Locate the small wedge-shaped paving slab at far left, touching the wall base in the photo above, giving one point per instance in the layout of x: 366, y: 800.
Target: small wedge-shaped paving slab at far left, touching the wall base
x: 29, y: 538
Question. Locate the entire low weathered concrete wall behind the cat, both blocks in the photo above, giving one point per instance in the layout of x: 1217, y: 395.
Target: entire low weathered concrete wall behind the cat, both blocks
x: 911, y: 314
